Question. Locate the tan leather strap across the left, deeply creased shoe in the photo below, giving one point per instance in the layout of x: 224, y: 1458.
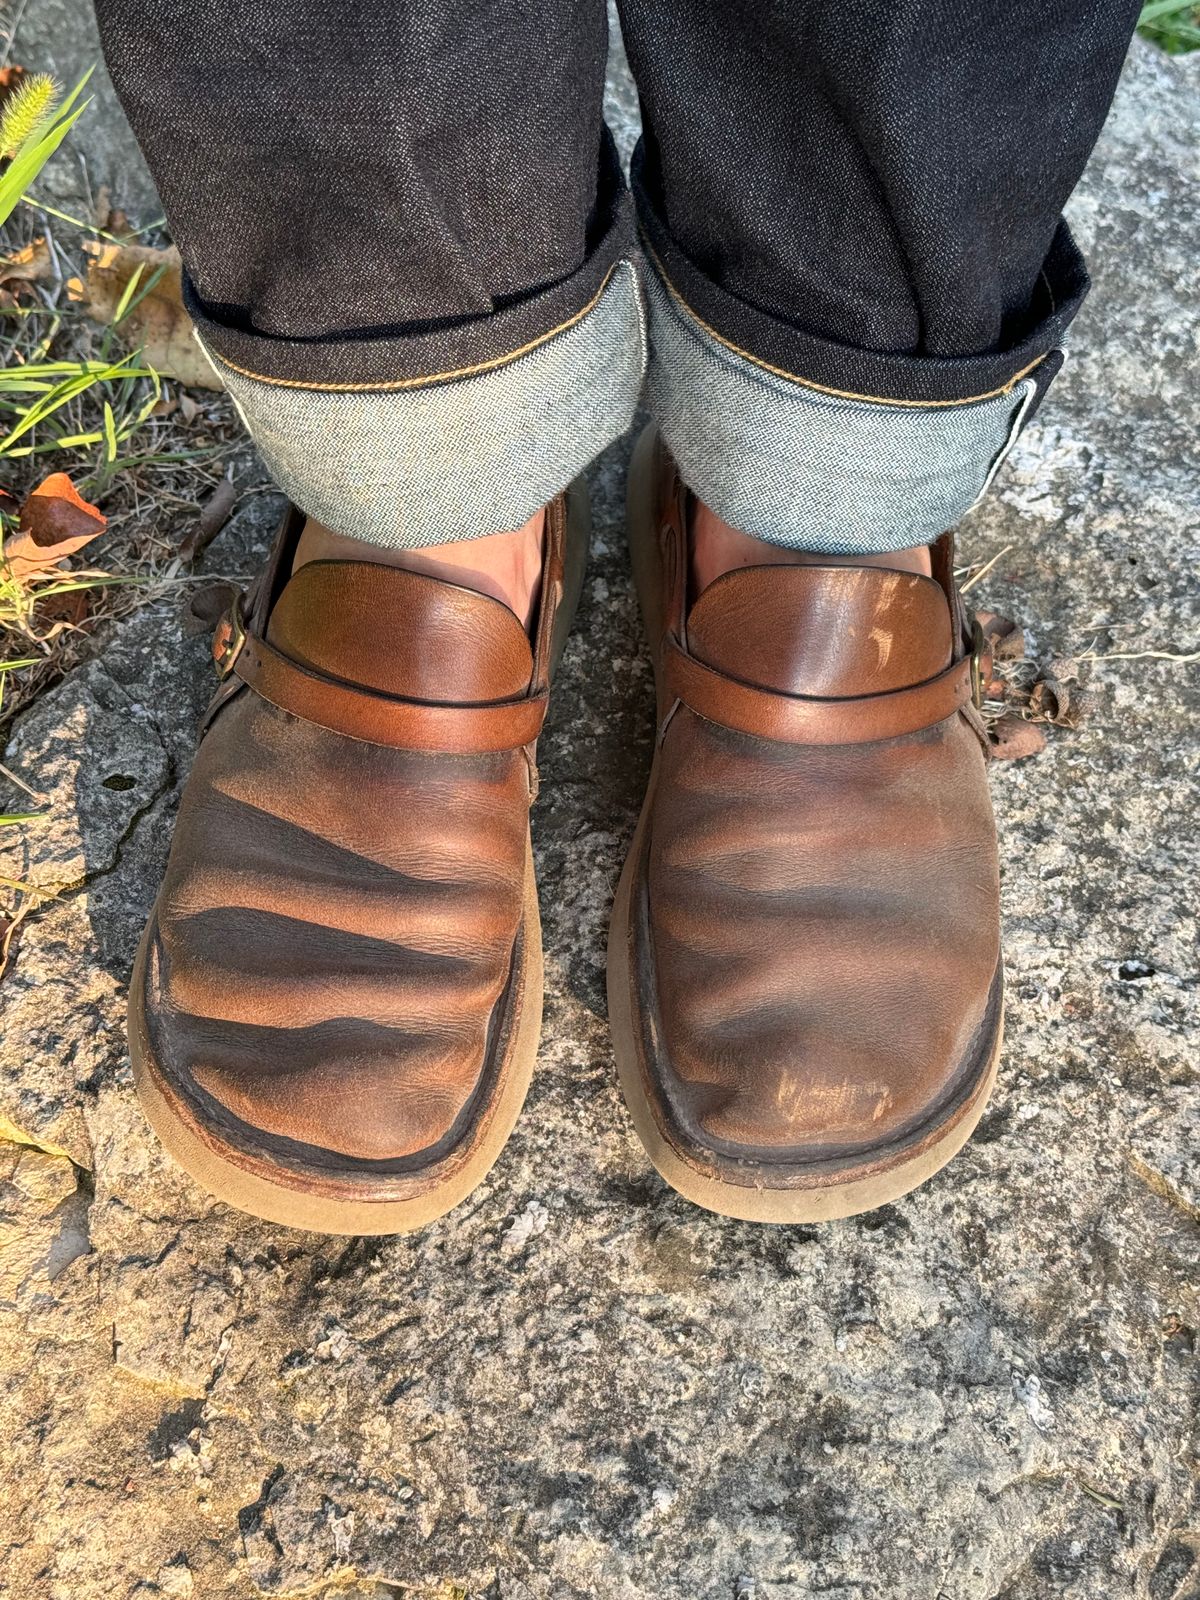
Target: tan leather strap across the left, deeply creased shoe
x: 383, y: 719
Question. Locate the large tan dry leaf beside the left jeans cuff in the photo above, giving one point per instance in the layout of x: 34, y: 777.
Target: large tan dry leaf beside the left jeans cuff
x: 159, y: 321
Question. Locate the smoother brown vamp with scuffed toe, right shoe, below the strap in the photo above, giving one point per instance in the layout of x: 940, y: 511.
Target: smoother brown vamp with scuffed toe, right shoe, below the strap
x: 825, y: 929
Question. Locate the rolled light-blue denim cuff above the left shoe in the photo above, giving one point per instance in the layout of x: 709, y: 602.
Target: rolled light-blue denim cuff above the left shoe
x: 434, y: 438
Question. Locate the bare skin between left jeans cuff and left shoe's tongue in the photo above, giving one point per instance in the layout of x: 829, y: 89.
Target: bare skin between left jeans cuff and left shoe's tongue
x: 503, y: 566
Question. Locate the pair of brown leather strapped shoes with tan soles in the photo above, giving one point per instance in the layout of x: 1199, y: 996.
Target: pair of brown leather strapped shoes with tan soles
x: 337, y: 1004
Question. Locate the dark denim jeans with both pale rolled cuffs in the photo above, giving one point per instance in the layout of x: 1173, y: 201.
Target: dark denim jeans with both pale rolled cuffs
x: 407, y: 242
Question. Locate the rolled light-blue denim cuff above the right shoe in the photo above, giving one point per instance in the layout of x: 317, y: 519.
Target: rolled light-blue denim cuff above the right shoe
x: 846, y: 452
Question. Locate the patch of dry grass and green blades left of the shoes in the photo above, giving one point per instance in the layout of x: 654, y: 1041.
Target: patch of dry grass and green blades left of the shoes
x: 148, y: 455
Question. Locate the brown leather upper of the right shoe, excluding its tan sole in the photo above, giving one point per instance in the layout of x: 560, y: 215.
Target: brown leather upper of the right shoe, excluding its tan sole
x: 818, y: 902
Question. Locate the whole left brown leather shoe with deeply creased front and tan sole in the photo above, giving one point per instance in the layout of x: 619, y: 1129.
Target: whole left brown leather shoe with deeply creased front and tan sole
x: 337, y: 1002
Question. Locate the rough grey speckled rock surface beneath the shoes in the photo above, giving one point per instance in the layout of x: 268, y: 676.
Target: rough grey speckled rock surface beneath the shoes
x: 578, y: 1385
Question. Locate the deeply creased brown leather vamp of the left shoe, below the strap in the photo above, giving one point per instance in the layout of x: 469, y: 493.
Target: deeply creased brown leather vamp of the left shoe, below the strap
x: 337, y: 929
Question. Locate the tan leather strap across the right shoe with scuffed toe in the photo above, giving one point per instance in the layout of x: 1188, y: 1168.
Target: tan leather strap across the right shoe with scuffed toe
x: 798, y: 719
